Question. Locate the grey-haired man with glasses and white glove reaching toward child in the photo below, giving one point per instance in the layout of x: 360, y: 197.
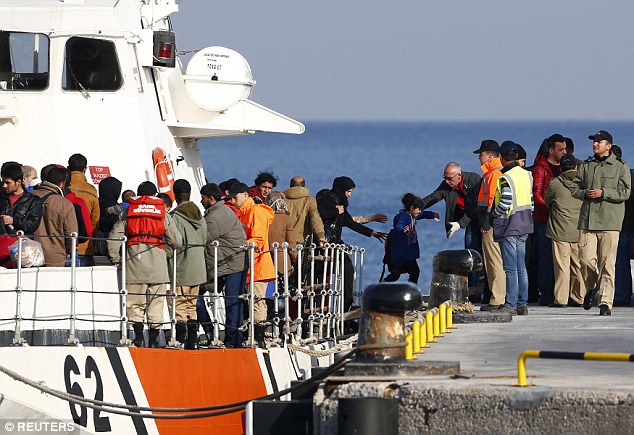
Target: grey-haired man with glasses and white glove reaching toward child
x: 455, y: 190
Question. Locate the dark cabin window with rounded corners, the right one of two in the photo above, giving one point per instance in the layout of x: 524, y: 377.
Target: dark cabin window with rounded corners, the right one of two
x: 91, y: 65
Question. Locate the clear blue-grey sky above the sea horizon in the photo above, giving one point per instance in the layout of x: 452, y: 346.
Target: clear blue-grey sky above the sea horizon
x: 427, y: 60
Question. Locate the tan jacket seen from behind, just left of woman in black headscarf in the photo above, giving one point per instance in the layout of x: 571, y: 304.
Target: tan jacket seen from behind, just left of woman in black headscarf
x: 304, y: 215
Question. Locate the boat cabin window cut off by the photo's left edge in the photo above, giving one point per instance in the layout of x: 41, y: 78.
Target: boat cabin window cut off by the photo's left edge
x: 23, y: 61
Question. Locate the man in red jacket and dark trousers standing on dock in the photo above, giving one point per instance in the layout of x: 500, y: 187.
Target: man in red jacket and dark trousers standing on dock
x: 546, y: 167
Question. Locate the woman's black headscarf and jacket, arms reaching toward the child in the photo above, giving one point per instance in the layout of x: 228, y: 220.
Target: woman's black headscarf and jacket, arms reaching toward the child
x: 334, y: 221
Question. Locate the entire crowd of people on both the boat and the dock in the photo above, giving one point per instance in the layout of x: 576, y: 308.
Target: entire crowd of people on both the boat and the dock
x: 556, y: 233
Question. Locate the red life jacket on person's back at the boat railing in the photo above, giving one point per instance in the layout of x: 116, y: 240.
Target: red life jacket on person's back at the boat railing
x: 146, y: 221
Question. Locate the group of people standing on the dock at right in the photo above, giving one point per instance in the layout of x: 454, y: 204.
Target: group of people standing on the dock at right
x: 556, y: 233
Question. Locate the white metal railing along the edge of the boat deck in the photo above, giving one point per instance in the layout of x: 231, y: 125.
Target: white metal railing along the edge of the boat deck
x: 314, y: 287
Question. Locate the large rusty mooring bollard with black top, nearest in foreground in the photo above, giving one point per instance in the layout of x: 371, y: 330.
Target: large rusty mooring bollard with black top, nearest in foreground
x: 382, y: 335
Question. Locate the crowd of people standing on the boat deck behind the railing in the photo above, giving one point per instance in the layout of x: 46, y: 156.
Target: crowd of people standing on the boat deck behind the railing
x: 159, y: 232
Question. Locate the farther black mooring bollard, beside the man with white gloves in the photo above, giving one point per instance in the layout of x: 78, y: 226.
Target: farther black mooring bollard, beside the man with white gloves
x: 449, y: 280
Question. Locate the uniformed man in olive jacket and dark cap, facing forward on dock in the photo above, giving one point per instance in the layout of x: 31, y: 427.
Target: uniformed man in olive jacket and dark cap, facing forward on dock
x: 604, y: 184
